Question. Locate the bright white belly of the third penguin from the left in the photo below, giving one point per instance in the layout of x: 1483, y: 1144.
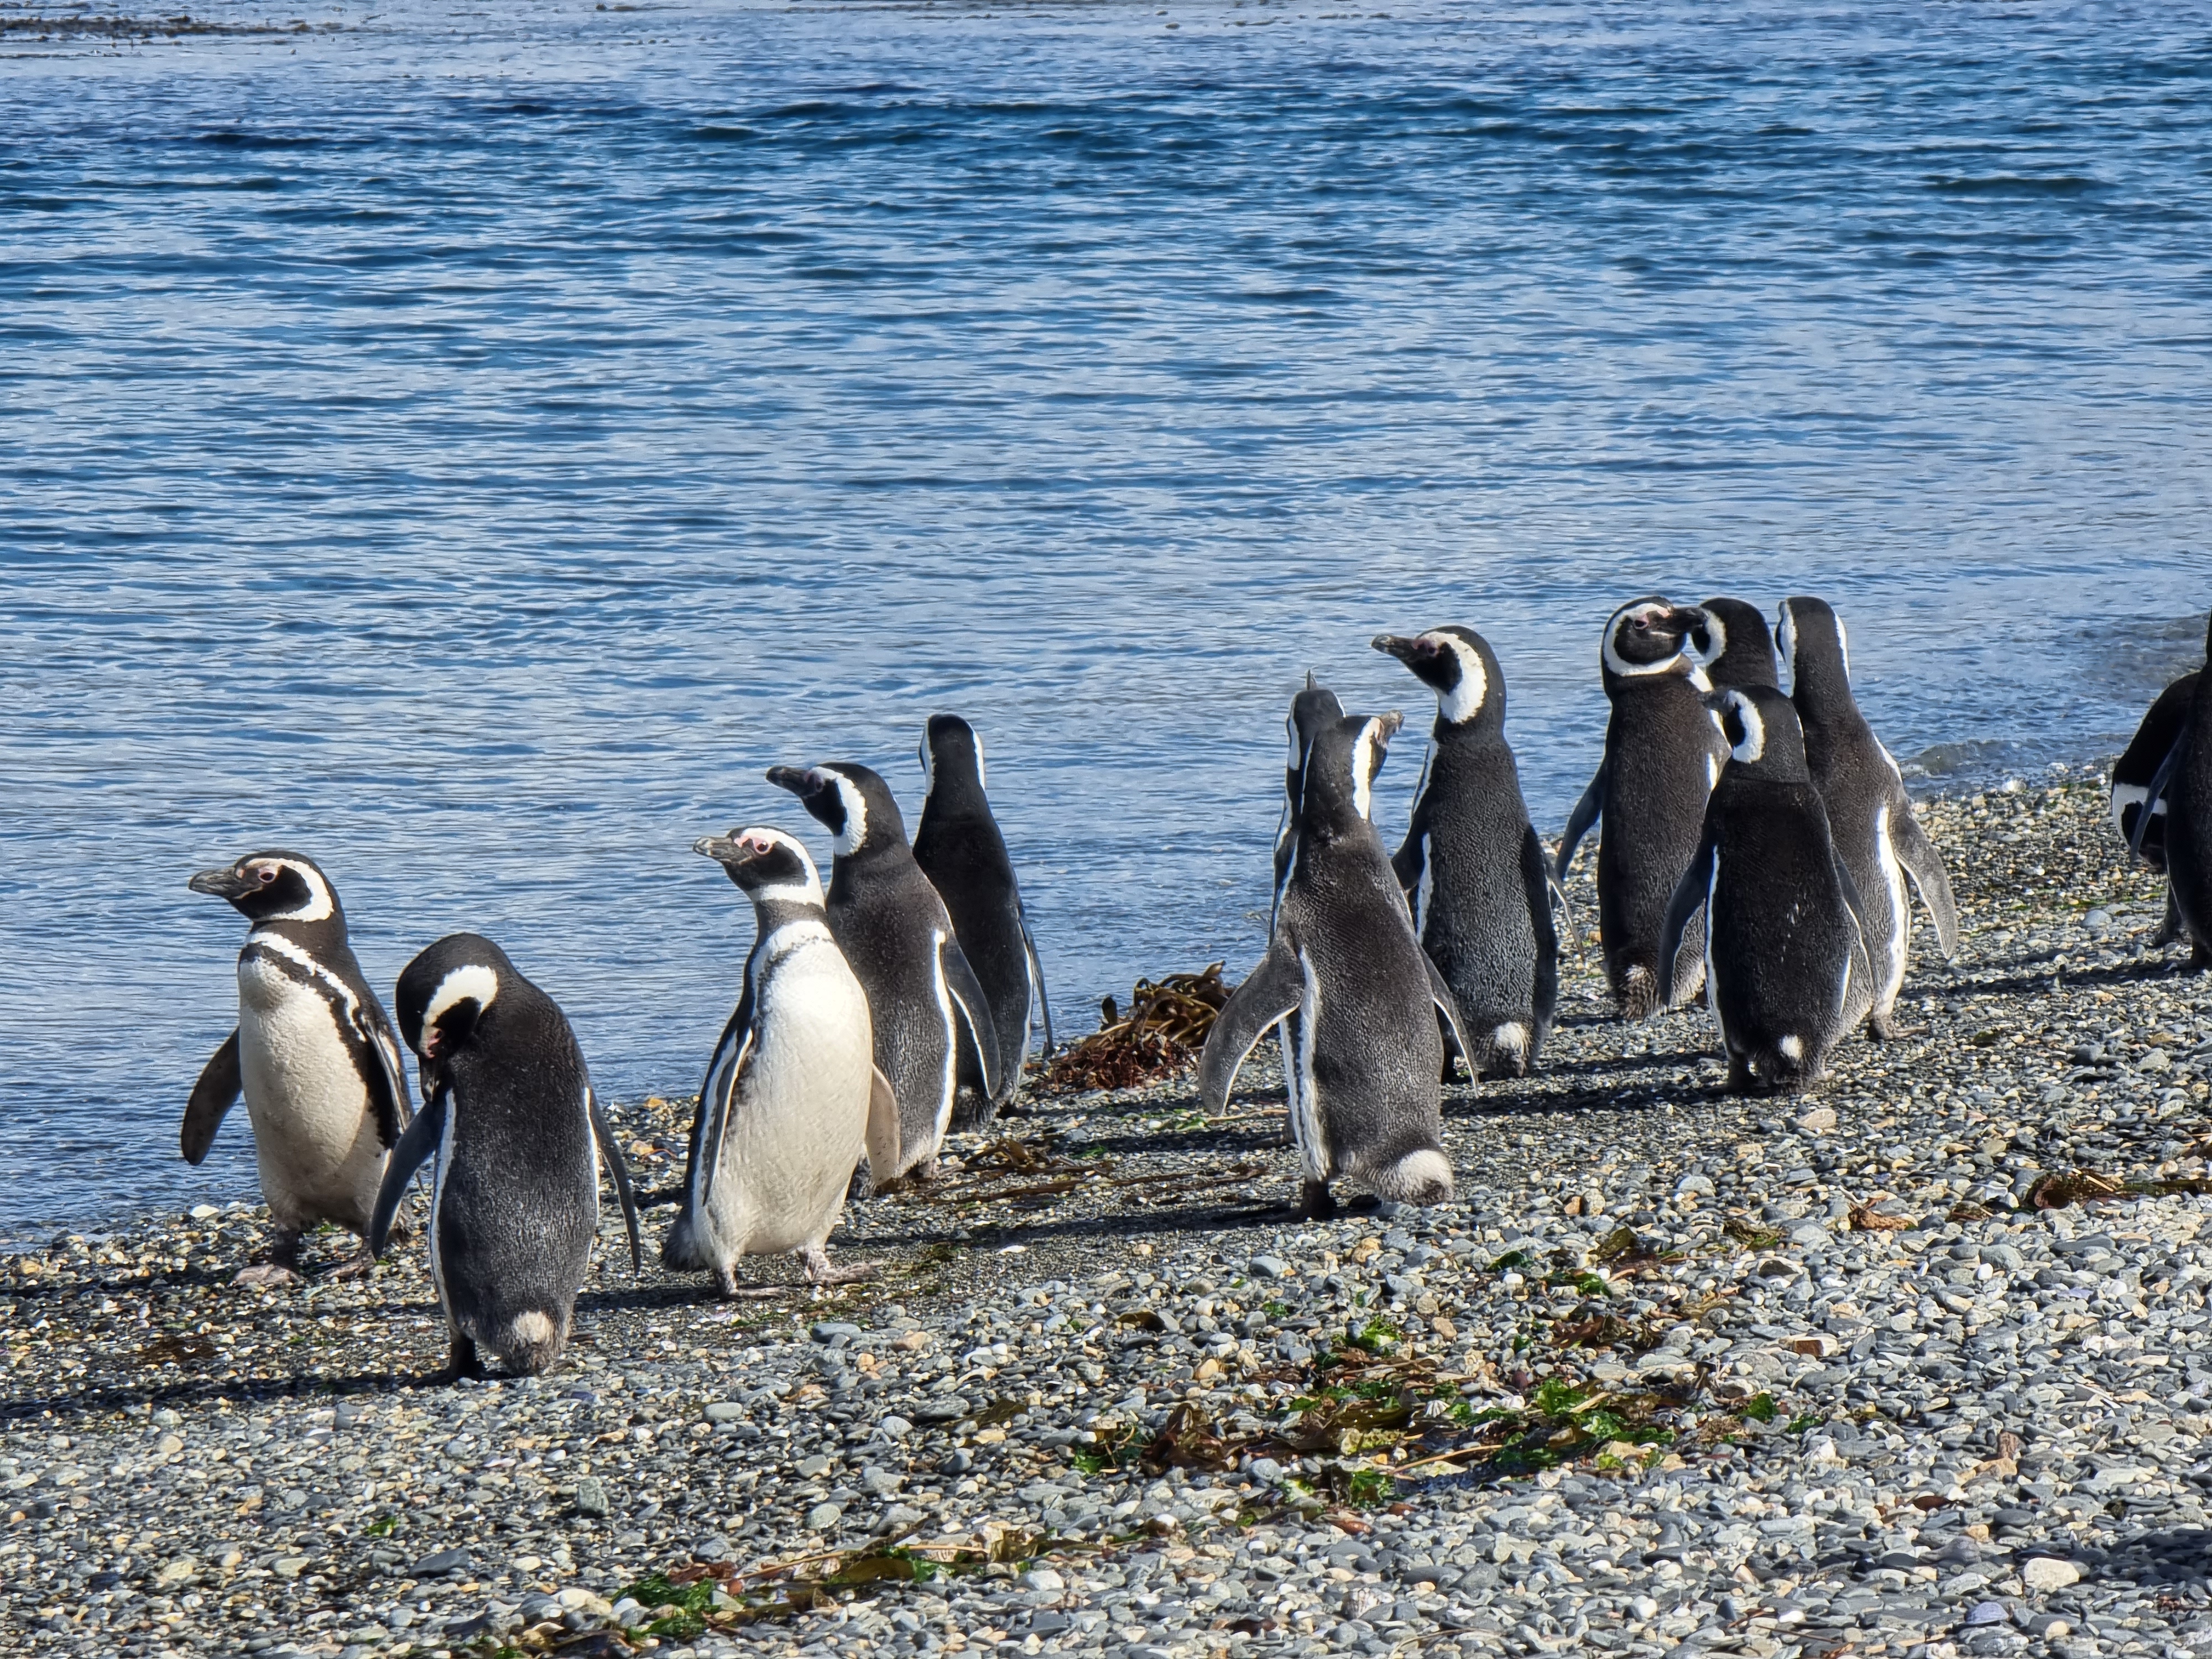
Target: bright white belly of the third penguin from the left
x: 800, y: 1120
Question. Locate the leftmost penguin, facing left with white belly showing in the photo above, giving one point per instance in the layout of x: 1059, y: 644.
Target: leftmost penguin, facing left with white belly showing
x: 313, y: 1054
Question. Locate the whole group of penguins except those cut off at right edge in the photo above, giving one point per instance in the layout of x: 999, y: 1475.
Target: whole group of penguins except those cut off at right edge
x: 1749, y: 842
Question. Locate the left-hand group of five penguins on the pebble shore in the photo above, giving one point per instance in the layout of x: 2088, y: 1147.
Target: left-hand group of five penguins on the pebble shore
x: 870, y: 1014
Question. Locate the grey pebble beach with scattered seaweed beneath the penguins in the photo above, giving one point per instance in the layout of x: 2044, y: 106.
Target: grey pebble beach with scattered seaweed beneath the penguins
x: 1917, y: 1364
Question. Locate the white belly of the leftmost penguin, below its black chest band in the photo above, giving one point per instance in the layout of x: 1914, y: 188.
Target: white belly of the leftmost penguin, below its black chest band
x: 315, y: 1134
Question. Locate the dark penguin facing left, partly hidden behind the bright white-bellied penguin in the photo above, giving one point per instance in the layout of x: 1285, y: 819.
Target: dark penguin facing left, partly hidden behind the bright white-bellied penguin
x: 899, y: 939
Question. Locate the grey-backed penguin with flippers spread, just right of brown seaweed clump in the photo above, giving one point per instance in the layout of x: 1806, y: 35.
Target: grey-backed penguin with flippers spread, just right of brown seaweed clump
x: 1355, y: 994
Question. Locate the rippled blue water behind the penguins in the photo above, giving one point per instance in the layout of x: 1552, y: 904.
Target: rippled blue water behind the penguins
x: 472, y: 444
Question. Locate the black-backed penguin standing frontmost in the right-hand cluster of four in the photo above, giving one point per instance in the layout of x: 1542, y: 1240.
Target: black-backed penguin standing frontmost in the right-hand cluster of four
x: 1786, y: 972
